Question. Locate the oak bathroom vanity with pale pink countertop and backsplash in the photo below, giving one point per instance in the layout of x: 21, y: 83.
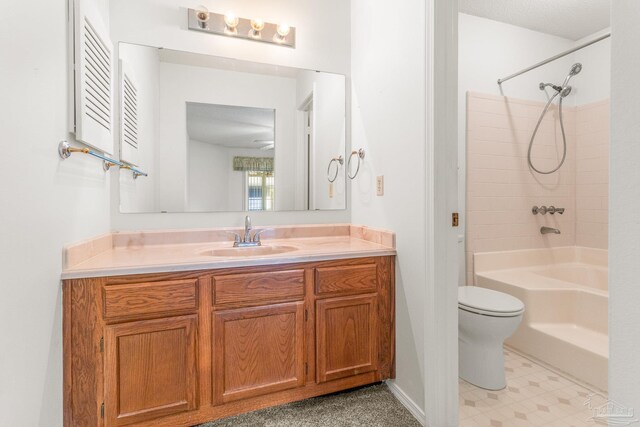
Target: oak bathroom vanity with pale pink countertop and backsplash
x: 179, y: 334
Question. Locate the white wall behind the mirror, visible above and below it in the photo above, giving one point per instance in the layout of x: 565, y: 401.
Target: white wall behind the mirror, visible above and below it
x: 319, y: 47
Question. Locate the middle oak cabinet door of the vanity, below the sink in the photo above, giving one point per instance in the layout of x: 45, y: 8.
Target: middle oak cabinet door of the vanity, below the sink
x: 257, y: 351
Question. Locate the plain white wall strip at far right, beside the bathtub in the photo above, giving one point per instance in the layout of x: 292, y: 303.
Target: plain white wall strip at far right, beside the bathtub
x: 624, y: 227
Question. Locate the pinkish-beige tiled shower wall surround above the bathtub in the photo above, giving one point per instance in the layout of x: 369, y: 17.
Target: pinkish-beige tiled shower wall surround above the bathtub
x: 501, y: 188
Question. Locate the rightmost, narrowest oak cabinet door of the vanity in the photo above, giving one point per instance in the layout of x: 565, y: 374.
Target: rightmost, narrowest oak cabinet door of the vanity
x: 346, y: 334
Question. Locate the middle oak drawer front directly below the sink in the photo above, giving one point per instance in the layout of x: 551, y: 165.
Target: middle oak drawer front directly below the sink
x: 258, y: 288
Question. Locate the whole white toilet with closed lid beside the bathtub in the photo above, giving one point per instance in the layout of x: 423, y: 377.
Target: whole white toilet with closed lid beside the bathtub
x: 485, y: 319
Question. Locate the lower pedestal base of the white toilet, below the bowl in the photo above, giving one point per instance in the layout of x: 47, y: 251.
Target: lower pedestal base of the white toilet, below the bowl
x: 482, y: 365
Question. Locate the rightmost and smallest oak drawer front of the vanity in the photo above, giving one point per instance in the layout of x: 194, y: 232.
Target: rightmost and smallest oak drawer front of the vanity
x: 346, y: 279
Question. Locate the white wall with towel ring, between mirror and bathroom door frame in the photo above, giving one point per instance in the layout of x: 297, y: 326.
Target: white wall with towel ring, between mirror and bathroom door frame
x: 388, y: 116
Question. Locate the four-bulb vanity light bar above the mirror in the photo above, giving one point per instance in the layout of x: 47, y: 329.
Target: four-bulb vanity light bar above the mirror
x: 231, y: 25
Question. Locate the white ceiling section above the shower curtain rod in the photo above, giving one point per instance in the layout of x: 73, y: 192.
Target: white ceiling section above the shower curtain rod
x: 571, y: 19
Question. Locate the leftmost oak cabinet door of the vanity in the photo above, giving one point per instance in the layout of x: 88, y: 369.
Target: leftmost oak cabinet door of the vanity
x: 150, y: 369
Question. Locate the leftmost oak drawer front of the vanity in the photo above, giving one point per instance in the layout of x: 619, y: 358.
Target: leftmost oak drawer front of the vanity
x: 143, y: 299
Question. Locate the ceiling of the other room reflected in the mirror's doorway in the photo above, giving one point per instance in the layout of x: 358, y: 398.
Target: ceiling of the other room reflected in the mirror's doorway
x: 230, y: 126
